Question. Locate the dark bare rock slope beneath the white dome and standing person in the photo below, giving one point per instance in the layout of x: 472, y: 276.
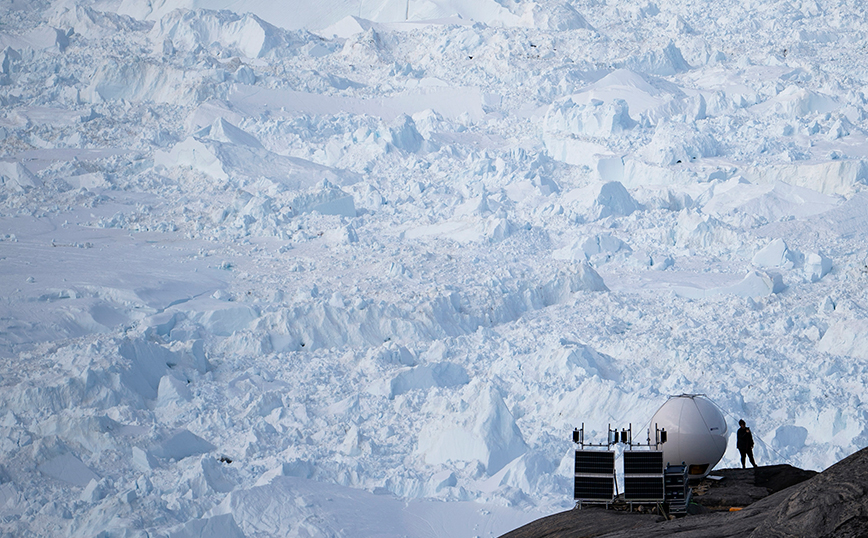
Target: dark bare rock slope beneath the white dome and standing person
x: 778, y: 501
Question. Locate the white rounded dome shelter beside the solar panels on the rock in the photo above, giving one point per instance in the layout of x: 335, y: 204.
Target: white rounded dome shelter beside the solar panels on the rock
x: 696, y: 431
